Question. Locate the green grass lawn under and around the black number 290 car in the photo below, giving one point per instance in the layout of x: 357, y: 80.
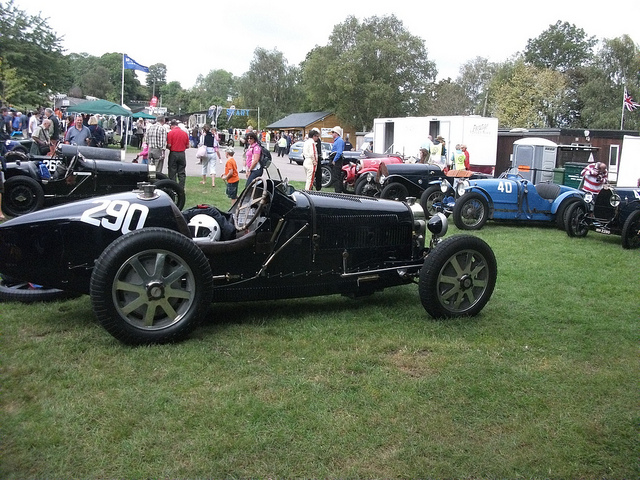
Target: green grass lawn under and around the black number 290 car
x: 543, y: 383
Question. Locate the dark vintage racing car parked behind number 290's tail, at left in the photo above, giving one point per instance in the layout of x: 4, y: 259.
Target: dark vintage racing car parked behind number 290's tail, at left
x: 74, y: 173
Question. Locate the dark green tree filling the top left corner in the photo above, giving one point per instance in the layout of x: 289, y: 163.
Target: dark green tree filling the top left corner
x: 28, y: 45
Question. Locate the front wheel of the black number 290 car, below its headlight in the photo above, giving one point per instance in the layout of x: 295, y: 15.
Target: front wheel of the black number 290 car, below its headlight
x: 458, y: 277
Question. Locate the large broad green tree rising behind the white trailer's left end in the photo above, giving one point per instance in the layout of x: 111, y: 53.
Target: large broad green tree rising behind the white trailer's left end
x: 368, y: 70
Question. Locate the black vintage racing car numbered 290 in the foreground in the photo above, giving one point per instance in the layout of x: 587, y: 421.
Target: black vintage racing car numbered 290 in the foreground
x: 152, y: 271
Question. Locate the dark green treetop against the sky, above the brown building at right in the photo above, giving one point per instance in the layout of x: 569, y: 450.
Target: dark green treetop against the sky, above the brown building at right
x: 561, y: 47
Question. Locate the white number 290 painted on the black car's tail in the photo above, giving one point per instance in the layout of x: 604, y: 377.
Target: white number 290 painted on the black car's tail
x: 116, y: 215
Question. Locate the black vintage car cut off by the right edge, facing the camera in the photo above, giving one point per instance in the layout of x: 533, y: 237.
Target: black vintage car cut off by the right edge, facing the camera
x: 613, y: 211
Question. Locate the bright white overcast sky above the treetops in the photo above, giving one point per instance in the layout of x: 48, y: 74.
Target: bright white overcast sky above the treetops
x: 193, y: 38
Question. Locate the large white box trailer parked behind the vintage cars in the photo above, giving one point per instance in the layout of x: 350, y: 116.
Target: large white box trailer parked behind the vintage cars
x: 405, y: 135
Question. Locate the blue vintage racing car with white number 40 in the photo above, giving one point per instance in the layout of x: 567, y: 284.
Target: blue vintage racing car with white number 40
x: 511, y: 197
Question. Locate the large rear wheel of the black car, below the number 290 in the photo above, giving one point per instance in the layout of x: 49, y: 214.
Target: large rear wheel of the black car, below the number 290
x: 151, y: 286
